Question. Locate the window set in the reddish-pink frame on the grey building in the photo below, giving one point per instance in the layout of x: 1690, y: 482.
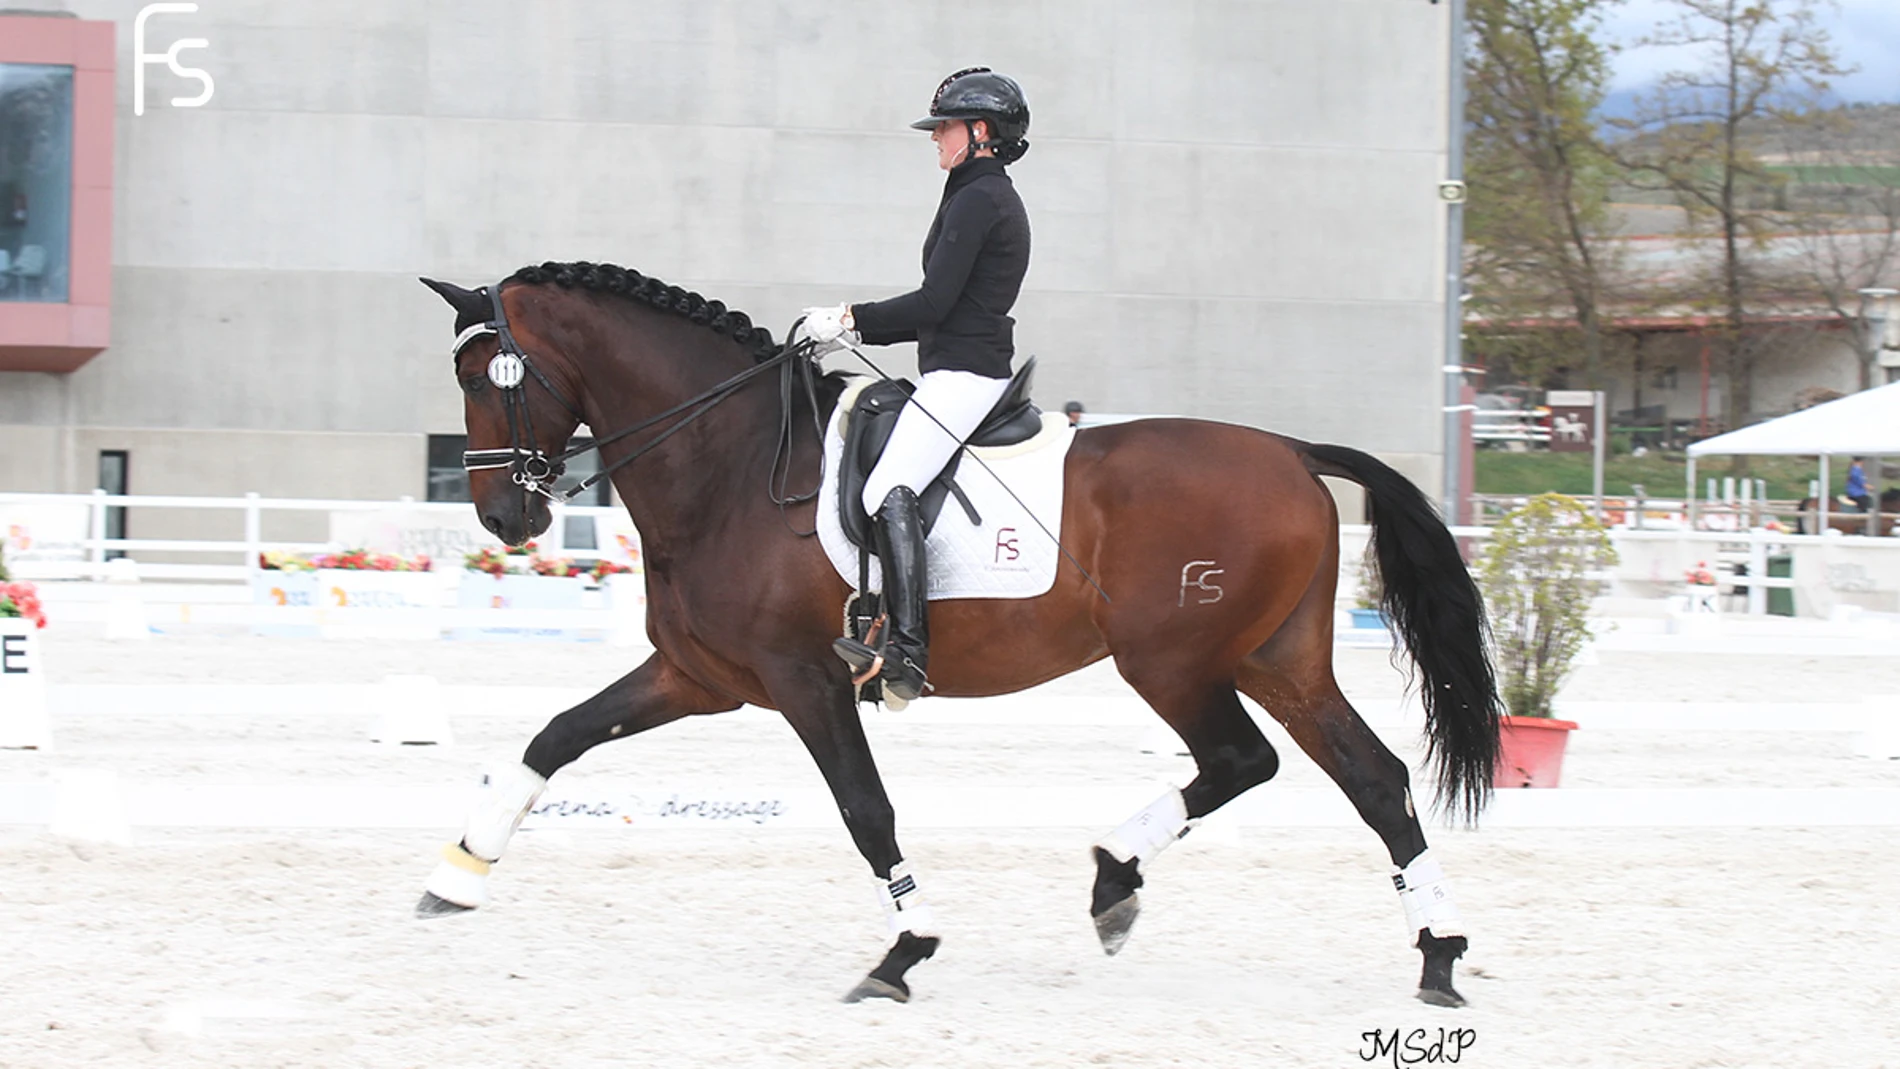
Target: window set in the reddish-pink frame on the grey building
x: 35, y: 181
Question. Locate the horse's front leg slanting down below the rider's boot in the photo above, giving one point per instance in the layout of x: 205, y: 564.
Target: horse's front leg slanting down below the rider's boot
x: 822, y: 709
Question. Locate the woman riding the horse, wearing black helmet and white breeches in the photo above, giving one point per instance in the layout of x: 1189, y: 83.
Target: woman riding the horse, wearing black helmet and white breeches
x: 974, y: 263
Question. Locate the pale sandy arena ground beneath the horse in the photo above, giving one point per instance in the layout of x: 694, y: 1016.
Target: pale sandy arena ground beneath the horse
x: 261, y: 948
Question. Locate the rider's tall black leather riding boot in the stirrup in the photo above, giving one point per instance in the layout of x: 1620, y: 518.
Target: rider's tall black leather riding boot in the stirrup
x: 903, y: 648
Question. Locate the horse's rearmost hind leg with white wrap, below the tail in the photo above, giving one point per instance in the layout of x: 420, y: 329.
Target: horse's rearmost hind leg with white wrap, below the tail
x: 1308, y: 703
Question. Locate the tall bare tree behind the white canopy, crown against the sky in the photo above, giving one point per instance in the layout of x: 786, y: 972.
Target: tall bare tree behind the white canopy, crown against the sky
x: 1692, y: 138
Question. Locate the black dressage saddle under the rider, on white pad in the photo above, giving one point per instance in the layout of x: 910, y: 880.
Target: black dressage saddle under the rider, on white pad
x: 869, y: 430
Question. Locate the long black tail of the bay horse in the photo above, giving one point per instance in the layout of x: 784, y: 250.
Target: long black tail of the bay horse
x: 1439, y: 614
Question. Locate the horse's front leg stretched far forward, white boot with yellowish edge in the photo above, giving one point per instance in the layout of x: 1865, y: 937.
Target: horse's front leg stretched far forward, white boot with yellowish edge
x: 647, y: 698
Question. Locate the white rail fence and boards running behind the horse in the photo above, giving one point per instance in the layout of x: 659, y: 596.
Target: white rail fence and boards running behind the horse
x: 60, y: 540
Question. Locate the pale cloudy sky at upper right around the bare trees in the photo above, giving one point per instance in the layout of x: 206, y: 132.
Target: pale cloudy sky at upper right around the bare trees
x: 1867, y: 35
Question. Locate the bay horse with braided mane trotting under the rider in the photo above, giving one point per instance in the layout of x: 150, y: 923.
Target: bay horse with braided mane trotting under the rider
x: 742, y: 610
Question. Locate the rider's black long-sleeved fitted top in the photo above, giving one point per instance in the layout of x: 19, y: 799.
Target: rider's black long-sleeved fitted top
x: 974, y: 263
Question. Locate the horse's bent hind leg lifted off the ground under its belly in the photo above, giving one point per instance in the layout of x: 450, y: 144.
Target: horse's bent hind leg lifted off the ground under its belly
x: 1230, y: 755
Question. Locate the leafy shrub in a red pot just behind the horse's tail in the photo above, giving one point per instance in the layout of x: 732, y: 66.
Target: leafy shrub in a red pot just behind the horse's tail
x: 1538, y: 584
